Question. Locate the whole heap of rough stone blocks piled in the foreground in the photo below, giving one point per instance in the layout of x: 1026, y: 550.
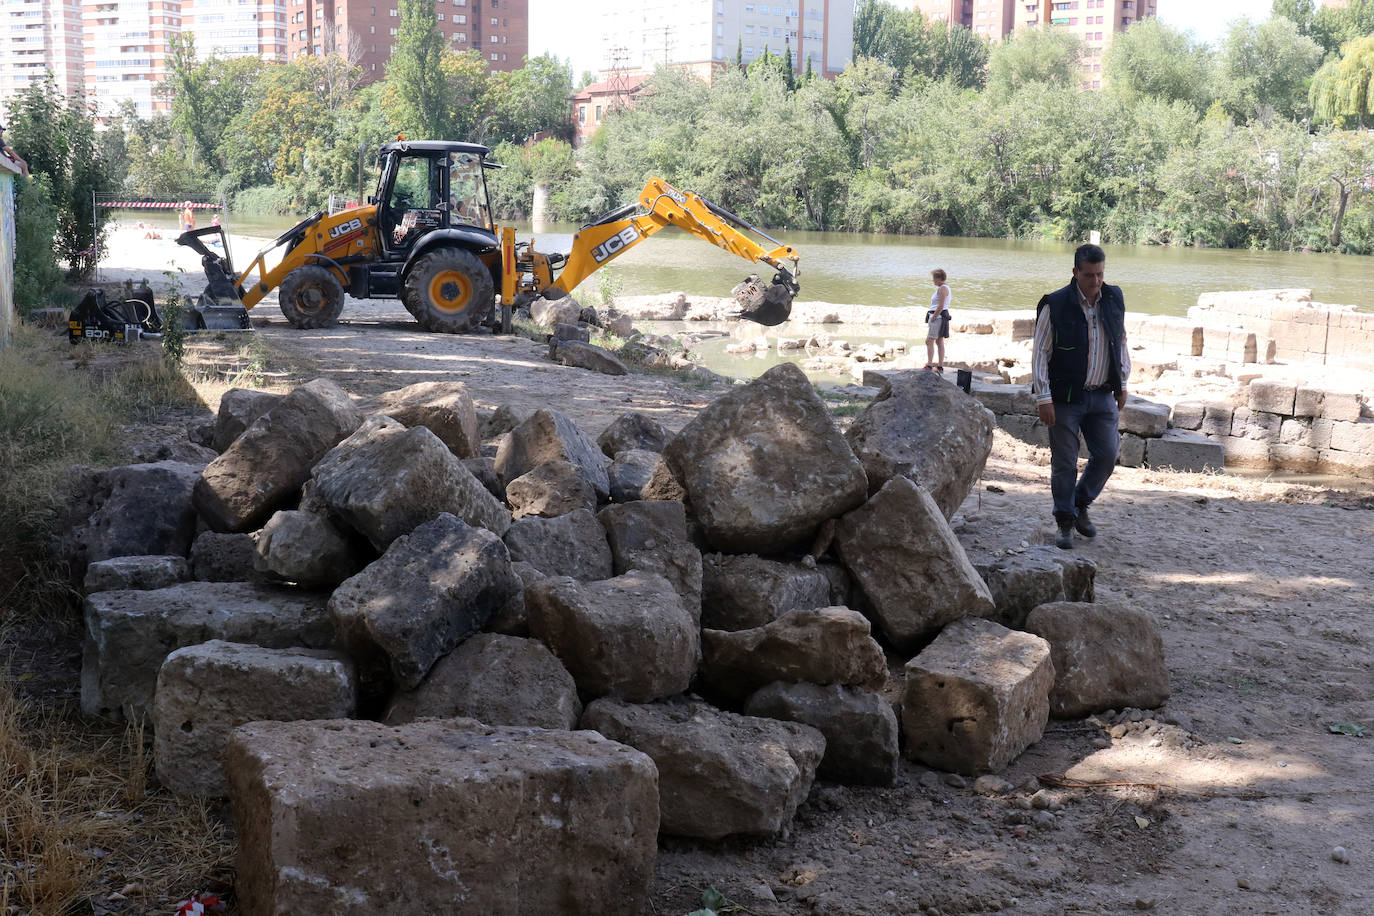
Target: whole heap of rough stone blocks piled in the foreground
x: 504, y: 650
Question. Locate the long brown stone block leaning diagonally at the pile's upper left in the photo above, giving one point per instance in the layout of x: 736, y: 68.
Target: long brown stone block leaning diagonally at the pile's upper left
x: 263, y: 469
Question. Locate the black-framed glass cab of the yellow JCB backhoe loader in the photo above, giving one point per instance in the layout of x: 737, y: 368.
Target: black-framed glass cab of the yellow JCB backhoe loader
x: 428, y: 186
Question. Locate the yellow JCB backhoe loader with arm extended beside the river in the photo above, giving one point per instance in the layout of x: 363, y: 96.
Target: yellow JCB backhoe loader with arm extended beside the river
x: 428, y: 238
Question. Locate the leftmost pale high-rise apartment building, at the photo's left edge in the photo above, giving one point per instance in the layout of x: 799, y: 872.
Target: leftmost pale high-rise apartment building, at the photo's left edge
x: 39, y: 38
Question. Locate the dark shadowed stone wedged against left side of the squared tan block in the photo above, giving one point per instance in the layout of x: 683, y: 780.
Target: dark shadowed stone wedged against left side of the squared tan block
x: 859, y: 726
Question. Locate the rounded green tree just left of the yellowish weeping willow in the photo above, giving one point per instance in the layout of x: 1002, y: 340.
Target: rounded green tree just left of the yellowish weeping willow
x: 1266, y: 69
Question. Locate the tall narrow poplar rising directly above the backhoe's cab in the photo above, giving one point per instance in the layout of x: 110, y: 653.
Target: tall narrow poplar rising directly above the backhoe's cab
x: 420, y: 101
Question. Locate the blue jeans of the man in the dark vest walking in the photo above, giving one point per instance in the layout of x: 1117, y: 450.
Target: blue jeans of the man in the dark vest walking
x: 1096, y: 417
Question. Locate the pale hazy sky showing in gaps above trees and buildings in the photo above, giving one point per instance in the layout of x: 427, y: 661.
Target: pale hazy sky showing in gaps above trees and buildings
x: 568, y: 28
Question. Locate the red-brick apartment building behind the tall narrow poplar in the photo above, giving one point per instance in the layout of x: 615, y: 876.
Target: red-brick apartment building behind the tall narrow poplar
x: 366, y: 31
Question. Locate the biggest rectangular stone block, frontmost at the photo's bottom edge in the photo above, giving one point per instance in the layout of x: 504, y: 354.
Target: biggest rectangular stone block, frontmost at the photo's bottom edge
x: 357, y: 819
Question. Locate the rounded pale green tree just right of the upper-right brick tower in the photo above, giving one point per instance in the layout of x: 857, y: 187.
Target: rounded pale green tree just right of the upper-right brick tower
x: 1158, y: 61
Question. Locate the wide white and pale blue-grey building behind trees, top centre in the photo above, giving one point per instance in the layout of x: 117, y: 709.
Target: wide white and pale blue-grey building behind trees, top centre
x: 704, y: 36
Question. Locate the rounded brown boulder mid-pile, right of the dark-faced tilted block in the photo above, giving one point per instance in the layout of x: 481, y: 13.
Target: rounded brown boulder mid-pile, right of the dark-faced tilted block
x: 627, y: 637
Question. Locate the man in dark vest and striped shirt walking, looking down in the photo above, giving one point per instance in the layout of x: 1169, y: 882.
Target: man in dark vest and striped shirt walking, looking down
x: 1081, y: 365
